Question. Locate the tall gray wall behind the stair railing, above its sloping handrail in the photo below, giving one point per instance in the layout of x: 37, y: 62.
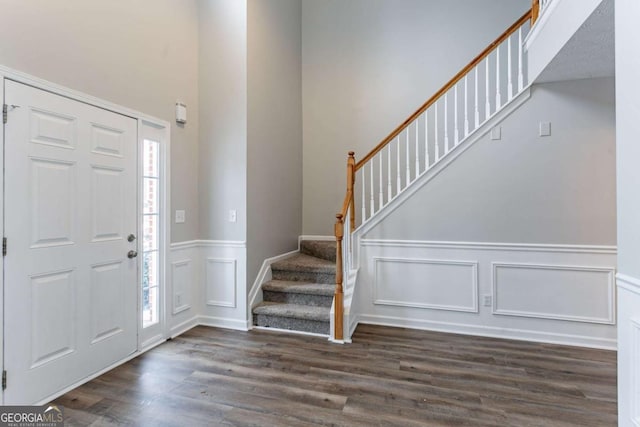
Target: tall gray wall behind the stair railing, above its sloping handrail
x: 368, y: 64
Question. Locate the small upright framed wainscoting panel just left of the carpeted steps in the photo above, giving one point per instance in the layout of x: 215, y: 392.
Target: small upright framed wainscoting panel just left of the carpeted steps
x: 220, y: 282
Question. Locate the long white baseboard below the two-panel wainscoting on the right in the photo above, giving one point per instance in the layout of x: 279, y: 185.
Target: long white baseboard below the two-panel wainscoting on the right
x: 491, y: 332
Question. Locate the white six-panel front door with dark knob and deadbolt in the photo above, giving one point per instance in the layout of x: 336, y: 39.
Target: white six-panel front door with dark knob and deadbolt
x: 70, y: 204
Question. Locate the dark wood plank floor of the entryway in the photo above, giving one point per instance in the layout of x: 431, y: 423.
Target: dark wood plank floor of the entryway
x: 388, y: 376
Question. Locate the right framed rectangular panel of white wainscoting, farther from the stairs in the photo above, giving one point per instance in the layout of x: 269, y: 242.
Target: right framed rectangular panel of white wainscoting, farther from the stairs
x: 579, y: 294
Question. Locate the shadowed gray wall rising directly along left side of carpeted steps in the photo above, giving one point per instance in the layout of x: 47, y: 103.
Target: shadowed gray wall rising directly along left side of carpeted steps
x: 274, y: 154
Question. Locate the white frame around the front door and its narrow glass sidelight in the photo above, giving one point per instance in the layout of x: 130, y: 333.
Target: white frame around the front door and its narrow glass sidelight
x: 143, y: 120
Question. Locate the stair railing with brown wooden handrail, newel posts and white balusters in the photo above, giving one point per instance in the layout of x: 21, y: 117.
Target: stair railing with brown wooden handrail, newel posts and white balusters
x: 472, y: 97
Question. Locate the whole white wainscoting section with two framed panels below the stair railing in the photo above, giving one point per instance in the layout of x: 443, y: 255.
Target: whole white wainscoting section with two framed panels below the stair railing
x: 550, y: 293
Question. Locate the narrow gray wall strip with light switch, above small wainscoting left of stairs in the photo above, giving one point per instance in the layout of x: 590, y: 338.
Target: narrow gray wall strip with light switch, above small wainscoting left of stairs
x: 223, y: 118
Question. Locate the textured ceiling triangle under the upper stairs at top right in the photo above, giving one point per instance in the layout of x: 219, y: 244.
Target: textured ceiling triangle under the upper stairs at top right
x: 589, y: 53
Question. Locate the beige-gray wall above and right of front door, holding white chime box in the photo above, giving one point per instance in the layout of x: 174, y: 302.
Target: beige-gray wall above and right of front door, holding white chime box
x: 142, y: 55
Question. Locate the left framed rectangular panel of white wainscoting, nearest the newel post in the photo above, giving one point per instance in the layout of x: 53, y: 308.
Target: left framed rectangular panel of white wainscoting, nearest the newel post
x: 426, y: 283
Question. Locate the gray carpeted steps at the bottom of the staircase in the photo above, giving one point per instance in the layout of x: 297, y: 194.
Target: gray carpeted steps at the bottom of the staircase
x: 300, y: 294
